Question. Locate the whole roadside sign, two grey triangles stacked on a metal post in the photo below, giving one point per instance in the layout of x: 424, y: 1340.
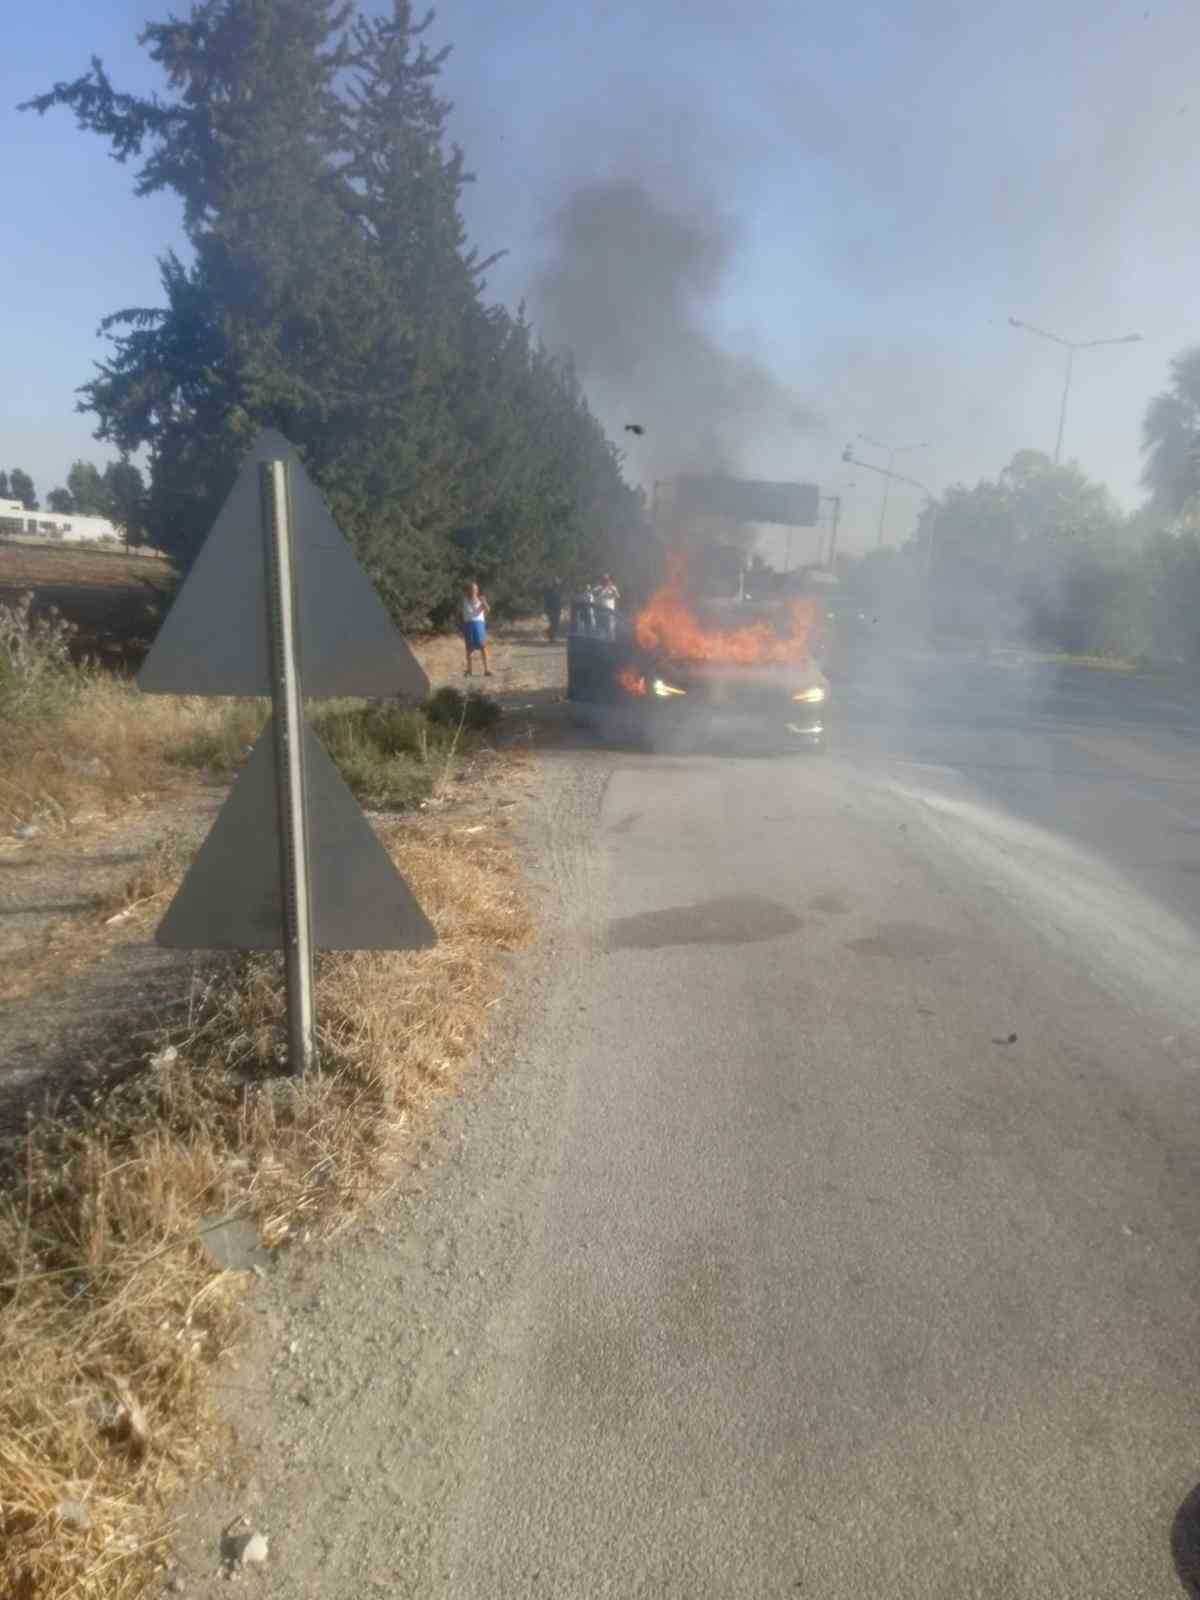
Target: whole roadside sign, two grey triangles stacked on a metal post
x: 290, y: 863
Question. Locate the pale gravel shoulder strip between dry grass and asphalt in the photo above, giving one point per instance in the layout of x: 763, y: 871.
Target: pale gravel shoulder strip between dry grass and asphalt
x: 374, y: 1358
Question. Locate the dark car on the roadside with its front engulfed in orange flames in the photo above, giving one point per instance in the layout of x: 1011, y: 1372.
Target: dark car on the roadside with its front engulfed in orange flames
x: 702, y: 666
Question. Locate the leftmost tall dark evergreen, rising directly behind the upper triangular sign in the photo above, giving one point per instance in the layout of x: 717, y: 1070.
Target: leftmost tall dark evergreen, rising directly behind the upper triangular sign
x: 246, y: 143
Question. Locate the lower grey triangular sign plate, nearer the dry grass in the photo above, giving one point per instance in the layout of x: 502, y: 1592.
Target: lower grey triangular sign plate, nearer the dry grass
x: 231, y: 898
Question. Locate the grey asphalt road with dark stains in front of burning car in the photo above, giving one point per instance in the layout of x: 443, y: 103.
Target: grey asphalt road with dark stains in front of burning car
x: 866, y: 1257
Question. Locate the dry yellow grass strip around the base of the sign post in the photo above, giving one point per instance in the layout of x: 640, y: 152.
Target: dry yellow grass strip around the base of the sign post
x: 113, y: 1316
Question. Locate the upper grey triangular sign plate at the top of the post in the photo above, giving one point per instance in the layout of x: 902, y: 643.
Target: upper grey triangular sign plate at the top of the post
x: 215, y: 636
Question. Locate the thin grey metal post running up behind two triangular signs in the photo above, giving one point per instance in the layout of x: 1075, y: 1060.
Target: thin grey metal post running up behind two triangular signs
x: 292, y: 791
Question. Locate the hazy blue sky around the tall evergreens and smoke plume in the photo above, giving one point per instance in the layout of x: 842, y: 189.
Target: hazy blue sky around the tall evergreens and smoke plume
x: 890, y: 183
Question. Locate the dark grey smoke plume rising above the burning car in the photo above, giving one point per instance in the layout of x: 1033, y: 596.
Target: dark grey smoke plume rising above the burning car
x: 630, y: 290
